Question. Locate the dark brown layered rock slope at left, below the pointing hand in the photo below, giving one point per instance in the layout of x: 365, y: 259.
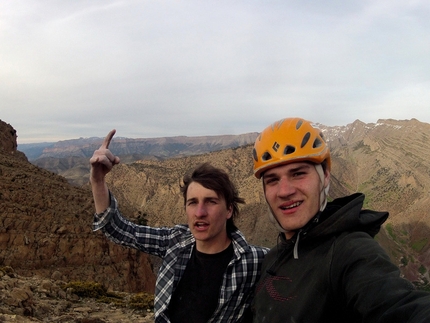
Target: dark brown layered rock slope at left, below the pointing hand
x: 45, y: 227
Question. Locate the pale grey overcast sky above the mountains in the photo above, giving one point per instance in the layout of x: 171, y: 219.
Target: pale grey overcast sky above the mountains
x: 79, y: 68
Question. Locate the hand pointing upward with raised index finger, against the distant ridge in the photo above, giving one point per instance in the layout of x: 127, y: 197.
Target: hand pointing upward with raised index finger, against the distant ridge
x: 103, y: 160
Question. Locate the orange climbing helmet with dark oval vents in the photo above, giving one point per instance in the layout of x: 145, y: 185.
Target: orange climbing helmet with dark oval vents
x: 289, y: 140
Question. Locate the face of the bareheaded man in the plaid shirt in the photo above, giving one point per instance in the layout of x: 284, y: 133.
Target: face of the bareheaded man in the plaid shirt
x: 207, y: 216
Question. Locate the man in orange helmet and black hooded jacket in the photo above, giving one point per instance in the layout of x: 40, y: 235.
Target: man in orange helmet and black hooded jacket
x: 326, y: 266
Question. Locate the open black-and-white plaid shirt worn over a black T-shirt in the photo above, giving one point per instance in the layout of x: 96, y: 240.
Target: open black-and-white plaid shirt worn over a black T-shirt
x: 174, y: 246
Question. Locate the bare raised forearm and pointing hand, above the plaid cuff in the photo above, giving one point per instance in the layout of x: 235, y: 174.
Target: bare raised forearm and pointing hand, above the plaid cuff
x: 102, y: 162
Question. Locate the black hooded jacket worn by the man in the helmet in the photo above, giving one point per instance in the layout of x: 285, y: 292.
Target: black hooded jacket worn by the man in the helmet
x: 334, y: 271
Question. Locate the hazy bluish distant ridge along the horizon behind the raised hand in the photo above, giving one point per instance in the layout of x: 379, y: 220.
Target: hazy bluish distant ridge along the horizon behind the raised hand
x: 69, y: 158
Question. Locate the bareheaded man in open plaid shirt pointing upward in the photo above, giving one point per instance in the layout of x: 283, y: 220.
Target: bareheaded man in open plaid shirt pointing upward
x: 208, y: 271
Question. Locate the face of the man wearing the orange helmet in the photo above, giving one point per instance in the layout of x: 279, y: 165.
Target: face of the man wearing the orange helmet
x: 293, y: 194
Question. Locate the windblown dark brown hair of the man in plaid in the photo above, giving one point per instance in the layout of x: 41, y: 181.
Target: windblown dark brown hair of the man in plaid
x: 217, y: 180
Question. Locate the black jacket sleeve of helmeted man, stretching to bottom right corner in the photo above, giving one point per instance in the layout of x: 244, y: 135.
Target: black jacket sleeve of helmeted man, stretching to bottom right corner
x: 371, y: 285
